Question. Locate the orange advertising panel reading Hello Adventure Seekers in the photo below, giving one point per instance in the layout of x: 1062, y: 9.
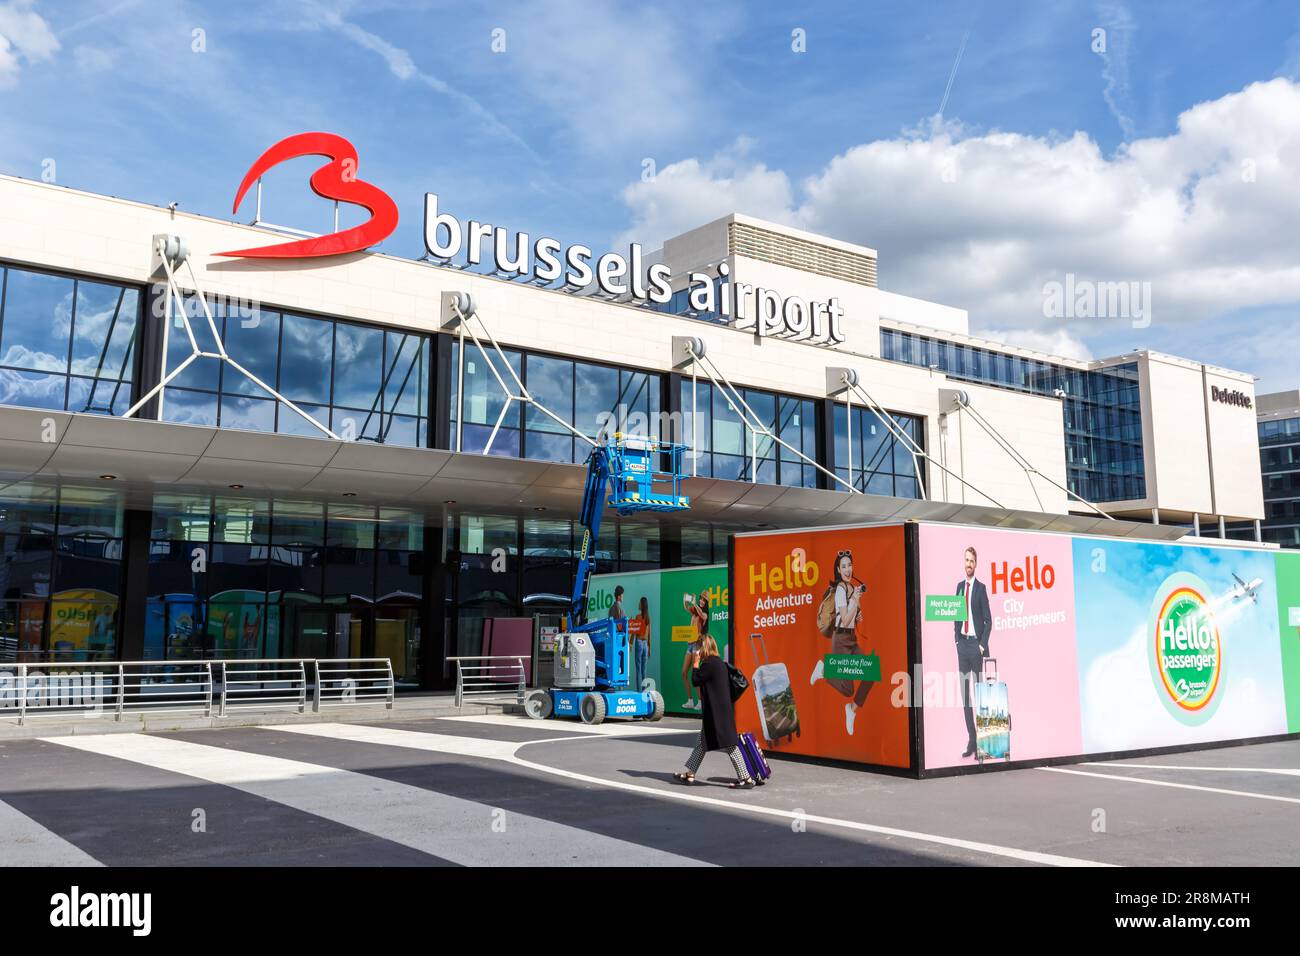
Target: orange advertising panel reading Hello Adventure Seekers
x: 821, y: 626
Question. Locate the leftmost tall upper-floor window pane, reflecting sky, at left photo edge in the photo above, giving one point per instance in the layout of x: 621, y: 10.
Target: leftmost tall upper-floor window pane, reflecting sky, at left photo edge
x: 37, y: 322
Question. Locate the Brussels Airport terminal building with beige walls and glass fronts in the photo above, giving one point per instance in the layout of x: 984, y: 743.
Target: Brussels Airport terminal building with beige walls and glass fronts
x: 344, y: 464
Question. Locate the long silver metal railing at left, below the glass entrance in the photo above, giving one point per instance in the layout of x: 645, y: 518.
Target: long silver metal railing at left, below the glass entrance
x: 211, y: 687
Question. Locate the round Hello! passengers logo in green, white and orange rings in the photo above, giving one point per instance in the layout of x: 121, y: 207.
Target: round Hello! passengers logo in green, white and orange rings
x: 1185, y: 648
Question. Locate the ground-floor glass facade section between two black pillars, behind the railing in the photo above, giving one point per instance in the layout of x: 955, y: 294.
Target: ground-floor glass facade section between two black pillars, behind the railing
x: 236, y: 577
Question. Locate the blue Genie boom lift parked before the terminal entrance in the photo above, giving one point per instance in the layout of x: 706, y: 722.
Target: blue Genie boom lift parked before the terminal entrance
x: 592, y: 657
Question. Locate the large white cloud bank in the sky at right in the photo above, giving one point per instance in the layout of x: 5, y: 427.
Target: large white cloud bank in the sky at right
x: 985, y: 220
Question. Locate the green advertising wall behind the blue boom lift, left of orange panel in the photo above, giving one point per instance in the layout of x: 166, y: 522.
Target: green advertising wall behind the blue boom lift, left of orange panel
x: 668, y: 612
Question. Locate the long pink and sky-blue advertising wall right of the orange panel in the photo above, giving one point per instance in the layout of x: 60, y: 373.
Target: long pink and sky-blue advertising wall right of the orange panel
x: 1038, y: 646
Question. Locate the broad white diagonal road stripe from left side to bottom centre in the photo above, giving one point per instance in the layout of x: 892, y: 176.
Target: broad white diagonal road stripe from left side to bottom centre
x: 458, y: 830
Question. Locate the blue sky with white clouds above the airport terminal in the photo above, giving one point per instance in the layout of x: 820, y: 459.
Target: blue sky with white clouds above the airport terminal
x: 1119, y: 166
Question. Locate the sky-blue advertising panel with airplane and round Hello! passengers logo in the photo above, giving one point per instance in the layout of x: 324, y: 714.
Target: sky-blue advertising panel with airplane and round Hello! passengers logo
x: 1178, y: 644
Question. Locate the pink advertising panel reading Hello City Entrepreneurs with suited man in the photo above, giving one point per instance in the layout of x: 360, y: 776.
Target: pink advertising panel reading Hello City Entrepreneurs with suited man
x: 1000, y: 676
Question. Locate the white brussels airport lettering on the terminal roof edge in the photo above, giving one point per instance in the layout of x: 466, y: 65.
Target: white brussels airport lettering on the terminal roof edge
x: 765, y: 312
